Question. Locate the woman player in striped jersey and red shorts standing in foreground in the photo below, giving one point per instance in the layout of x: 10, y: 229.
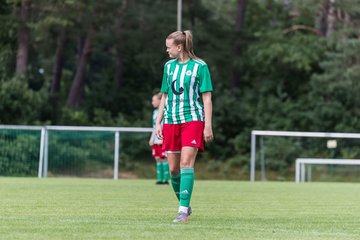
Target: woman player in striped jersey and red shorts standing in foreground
x: 186, y: 107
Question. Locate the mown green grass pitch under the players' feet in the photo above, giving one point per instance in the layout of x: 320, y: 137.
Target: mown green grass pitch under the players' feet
x: 65, y: 208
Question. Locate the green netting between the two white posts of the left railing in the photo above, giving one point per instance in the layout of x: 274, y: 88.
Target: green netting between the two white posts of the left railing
x: 80, y: 153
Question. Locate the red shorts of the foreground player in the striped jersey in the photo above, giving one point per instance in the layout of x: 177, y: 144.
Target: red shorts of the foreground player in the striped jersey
x: 189, y: 134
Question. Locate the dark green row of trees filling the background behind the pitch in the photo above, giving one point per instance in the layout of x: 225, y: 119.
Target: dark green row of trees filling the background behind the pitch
x: 275, y: 64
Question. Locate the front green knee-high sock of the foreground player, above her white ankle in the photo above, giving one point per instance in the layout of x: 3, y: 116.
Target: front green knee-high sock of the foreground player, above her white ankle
x: 186, y: 186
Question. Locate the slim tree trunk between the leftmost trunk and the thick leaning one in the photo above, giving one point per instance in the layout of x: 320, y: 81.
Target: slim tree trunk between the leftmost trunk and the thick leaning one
x: 58, y: 64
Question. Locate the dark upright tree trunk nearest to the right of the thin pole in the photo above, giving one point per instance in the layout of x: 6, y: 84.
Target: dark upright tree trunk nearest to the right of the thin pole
x: 239, y: 27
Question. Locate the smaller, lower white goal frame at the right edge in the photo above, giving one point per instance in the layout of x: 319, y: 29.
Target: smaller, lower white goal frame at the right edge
x: 300, y: 165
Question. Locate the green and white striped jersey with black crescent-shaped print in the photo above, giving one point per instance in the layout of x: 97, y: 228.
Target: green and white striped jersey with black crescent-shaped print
x: 184, y: 83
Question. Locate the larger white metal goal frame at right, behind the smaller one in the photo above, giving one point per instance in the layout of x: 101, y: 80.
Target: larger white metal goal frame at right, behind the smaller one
x: 255, y: 133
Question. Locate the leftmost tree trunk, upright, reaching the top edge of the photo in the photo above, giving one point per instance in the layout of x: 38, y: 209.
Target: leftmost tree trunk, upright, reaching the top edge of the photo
x: 23, y: 38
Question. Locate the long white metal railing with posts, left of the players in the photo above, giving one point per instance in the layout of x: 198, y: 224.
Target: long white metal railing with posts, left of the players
x: 44, y: 140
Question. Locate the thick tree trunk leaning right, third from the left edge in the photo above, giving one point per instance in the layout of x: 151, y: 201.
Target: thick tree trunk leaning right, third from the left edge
x: 77, y: 87
